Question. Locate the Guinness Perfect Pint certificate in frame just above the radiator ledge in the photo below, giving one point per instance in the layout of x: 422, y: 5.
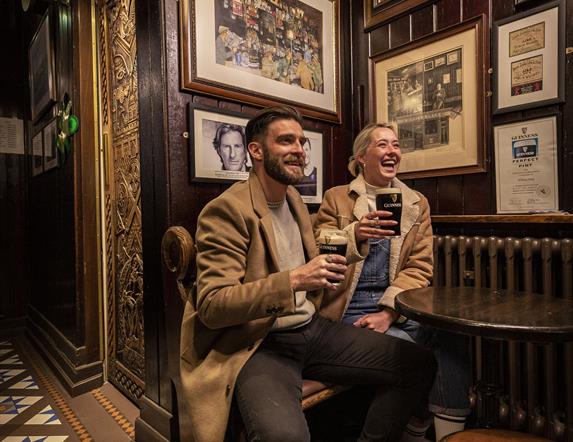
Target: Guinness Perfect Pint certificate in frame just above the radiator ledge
x: 526, y: 169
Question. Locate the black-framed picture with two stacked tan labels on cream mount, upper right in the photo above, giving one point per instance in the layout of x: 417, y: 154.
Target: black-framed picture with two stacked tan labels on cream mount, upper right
x: 528, y: 67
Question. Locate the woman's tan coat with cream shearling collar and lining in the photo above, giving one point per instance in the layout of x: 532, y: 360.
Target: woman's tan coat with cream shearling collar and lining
x: 411, y: 258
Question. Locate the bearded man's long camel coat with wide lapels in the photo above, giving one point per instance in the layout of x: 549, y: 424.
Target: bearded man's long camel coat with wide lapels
x: 239, y: 293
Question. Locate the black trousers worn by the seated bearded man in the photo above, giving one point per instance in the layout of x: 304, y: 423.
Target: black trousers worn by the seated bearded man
x: 268, y: 390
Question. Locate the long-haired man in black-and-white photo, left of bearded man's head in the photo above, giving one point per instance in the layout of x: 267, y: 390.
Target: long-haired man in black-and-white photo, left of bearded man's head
x: 229, y: 142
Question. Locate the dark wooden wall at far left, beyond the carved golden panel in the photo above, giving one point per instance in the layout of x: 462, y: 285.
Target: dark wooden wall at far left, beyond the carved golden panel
x: 48, y: 221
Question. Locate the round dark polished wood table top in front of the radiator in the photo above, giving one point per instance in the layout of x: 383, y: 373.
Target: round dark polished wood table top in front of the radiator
x: 500, y: 314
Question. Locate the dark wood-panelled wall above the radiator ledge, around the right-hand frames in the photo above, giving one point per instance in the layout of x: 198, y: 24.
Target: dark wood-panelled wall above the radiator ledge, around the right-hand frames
x: 474, y: 193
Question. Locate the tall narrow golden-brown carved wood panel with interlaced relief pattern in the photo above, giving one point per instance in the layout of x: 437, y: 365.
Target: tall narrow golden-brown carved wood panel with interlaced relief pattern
x: 123, y: 243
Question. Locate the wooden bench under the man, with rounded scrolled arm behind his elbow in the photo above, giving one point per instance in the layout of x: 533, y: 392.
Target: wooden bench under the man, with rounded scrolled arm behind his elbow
x: 178, y: 253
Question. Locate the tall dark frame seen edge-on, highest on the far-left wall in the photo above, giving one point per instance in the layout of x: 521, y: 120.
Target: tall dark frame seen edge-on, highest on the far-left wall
x: 41, y: 69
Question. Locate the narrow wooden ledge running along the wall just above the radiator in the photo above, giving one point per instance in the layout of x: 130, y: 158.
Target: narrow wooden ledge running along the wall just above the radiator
x: 503, y: 219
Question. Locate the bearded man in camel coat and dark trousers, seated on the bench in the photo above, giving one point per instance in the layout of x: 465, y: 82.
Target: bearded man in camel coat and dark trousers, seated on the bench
x: 250, y: 329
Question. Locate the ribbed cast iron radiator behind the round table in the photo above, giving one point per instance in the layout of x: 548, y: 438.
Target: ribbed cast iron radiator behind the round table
x: 537, y: 380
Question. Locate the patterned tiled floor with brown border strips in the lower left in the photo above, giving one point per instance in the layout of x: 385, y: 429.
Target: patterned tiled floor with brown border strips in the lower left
x: 34, y: 406
